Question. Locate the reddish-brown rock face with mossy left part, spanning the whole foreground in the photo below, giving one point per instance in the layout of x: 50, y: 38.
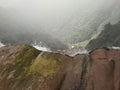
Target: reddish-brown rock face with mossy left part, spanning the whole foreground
x: 25, y: 68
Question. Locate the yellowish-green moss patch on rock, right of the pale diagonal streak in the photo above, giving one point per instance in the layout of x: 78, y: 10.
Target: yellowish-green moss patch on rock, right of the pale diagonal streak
x: 46, y: 64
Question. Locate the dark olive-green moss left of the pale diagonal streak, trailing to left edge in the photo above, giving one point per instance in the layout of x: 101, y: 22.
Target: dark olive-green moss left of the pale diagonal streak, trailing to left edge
x: 20, y: 66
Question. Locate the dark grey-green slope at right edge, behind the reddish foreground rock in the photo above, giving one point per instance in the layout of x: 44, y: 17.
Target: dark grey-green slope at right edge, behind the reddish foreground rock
x: 109, y: 37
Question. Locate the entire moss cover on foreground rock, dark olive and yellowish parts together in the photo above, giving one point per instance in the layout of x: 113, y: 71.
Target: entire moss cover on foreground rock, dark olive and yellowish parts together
x: 30, y: 62
